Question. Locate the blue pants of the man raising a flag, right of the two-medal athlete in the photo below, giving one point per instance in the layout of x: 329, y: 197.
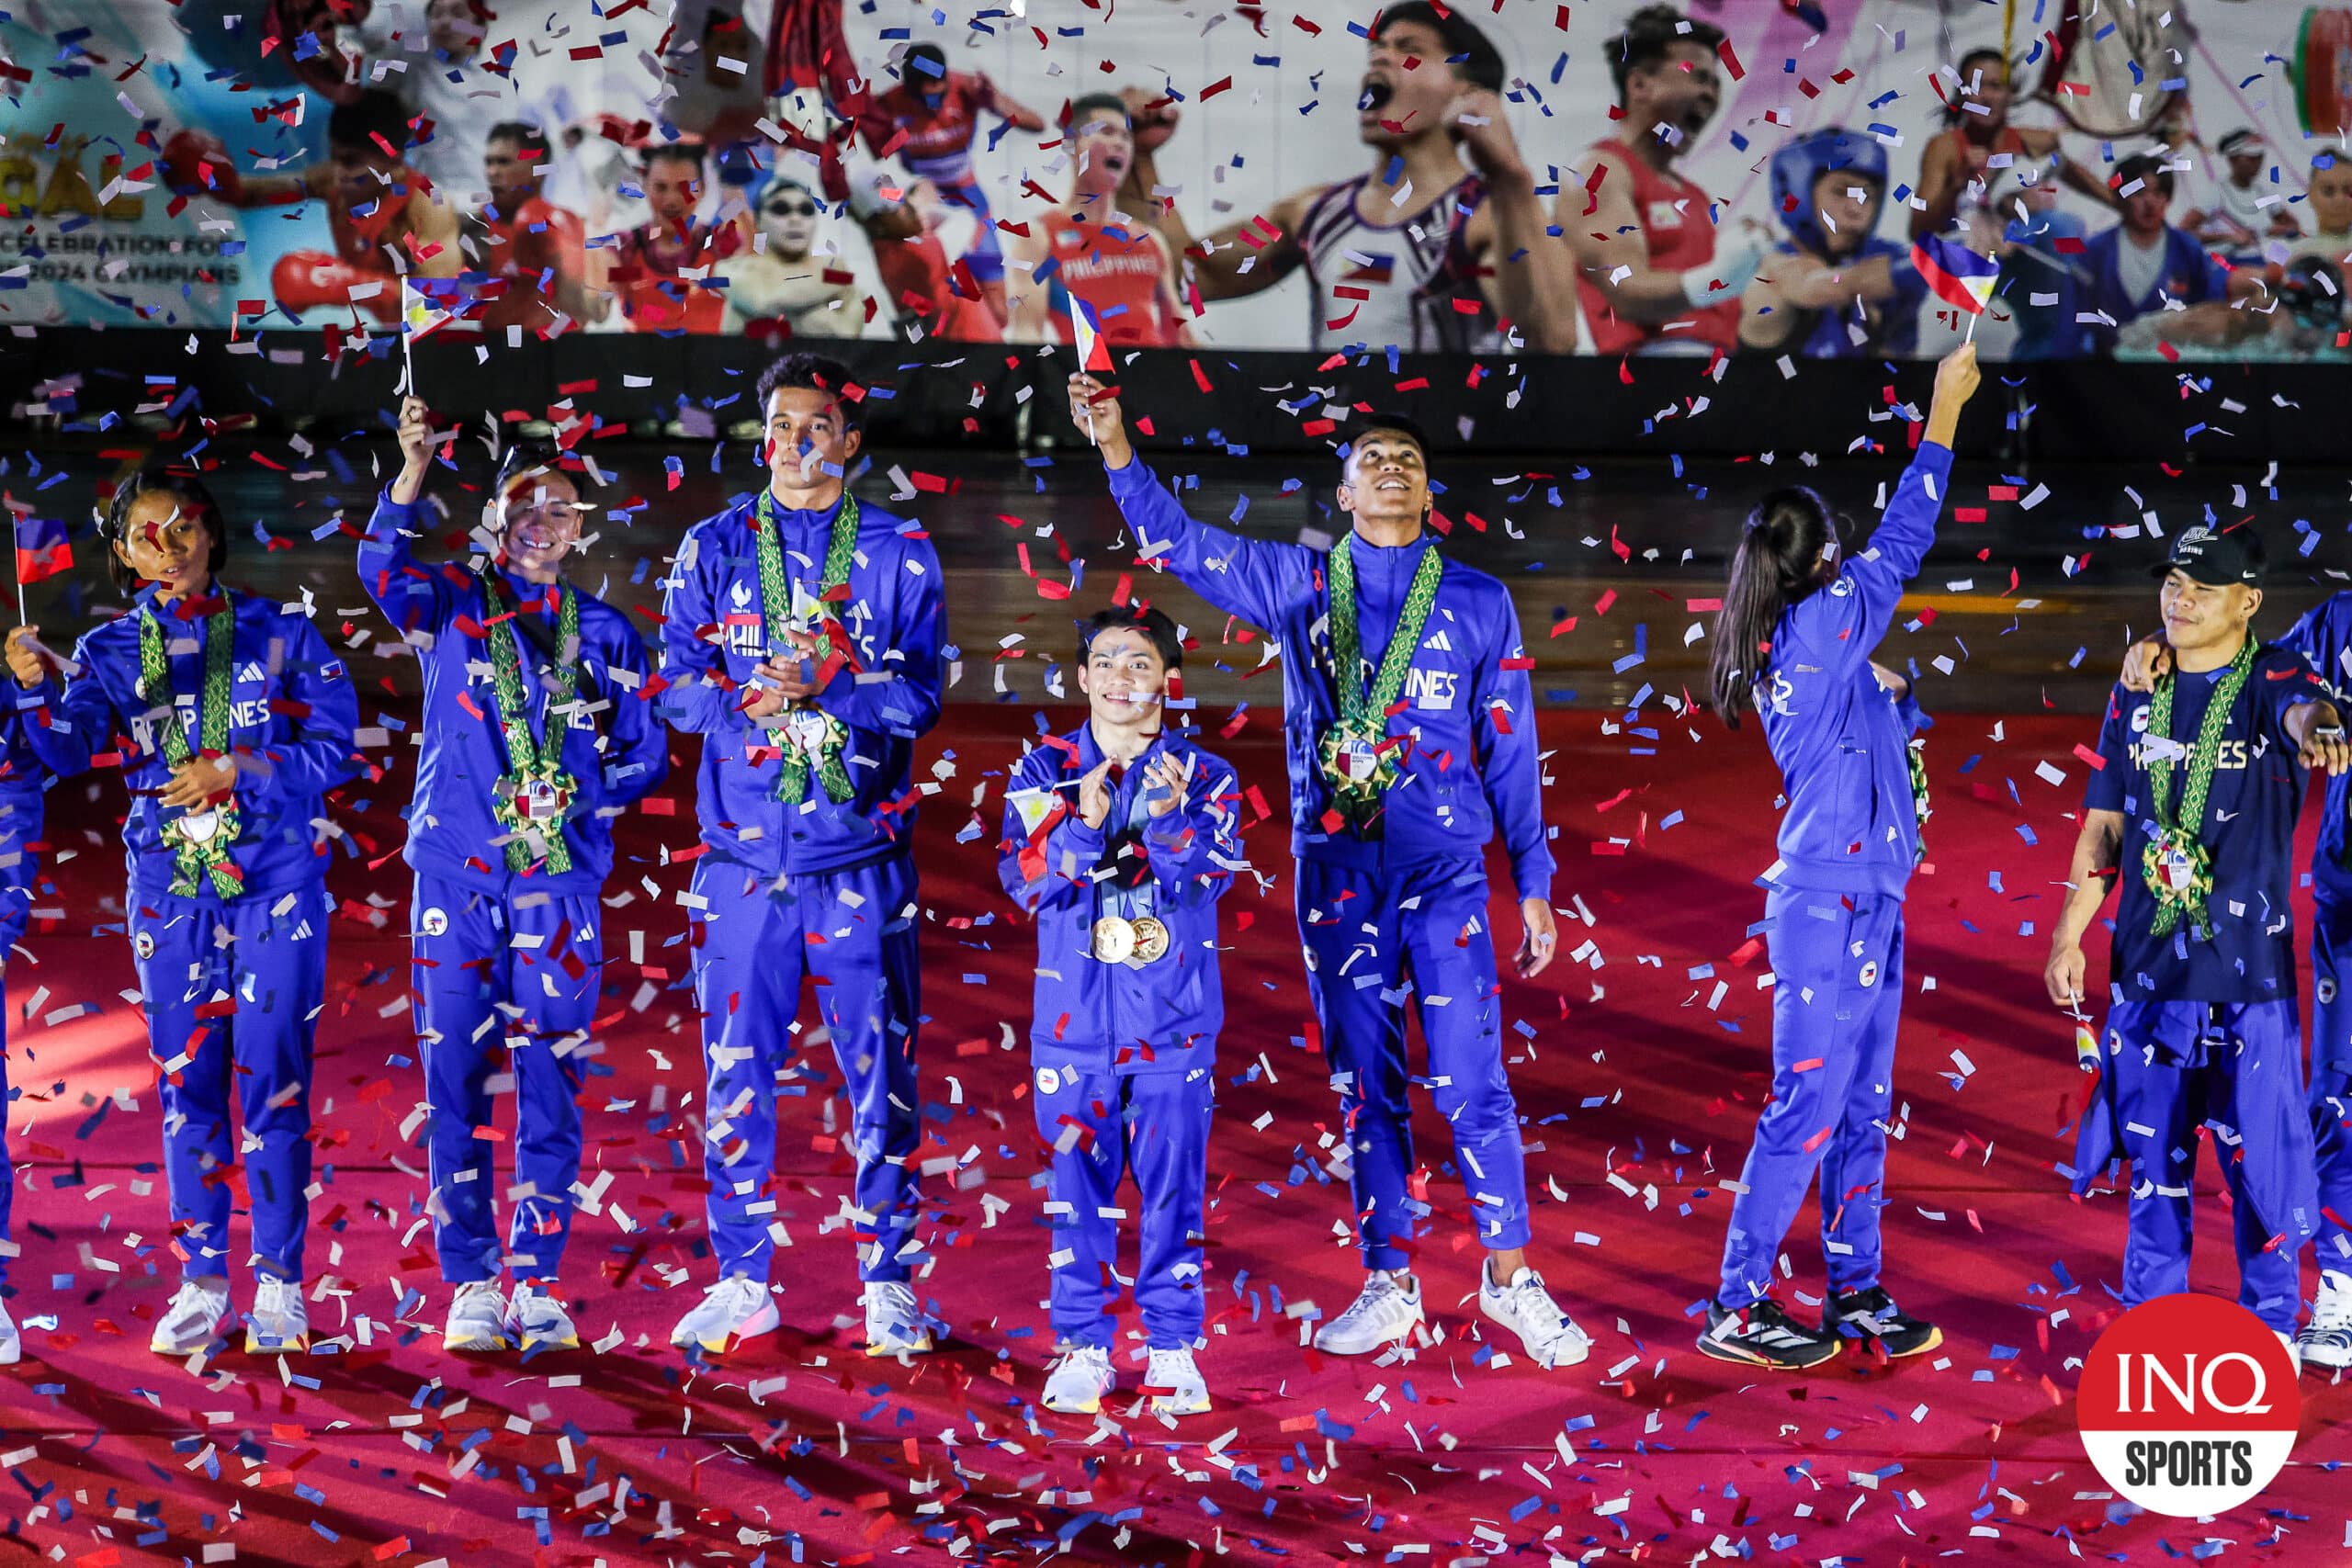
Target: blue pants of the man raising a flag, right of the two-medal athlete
x: 1379, y: 944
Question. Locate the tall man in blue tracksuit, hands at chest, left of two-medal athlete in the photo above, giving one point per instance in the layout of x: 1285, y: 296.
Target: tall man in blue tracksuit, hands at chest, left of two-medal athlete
x: 808, y: 810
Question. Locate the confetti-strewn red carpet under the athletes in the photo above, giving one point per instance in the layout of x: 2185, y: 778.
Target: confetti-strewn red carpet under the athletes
x: 1645, y: 1057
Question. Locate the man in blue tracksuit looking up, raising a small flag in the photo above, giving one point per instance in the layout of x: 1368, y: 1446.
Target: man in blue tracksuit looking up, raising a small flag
x: 1389, y: 819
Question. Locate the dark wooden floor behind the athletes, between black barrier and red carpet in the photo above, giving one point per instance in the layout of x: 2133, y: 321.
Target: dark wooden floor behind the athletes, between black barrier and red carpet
x: 2024, y: 605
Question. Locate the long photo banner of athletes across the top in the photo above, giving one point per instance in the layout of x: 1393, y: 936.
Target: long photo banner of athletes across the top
x: 1516, y: 177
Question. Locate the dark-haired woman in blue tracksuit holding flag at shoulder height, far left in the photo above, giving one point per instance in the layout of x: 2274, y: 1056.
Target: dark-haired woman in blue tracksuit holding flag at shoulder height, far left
x: 227, y: 857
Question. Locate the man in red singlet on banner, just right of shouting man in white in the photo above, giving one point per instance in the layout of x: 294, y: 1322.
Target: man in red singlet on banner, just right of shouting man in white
x: 1650, y: 272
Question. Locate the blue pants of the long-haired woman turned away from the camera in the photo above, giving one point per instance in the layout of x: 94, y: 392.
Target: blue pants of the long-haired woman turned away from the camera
x: 1838, y: 996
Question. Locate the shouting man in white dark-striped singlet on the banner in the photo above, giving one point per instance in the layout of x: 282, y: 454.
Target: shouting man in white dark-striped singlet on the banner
x: 1417, y: 253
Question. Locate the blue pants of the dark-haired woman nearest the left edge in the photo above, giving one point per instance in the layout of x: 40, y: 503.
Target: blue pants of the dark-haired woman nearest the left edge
x: 232, y: 998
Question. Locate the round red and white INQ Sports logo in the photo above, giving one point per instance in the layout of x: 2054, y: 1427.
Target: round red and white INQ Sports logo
x: 2189, y: 1405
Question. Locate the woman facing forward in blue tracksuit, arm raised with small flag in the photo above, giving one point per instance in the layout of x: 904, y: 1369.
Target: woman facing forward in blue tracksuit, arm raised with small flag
x: 509, y: 944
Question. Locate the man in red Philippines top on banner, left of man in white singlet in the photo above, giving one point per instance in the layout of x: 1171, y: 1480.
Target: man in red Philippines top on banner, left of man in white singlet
x: 1088, y: 248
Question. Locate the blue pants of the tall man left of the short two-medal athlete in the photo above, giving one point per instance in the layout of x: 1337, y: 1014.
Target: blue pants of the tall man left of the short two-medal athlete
x: 754, y: 942
